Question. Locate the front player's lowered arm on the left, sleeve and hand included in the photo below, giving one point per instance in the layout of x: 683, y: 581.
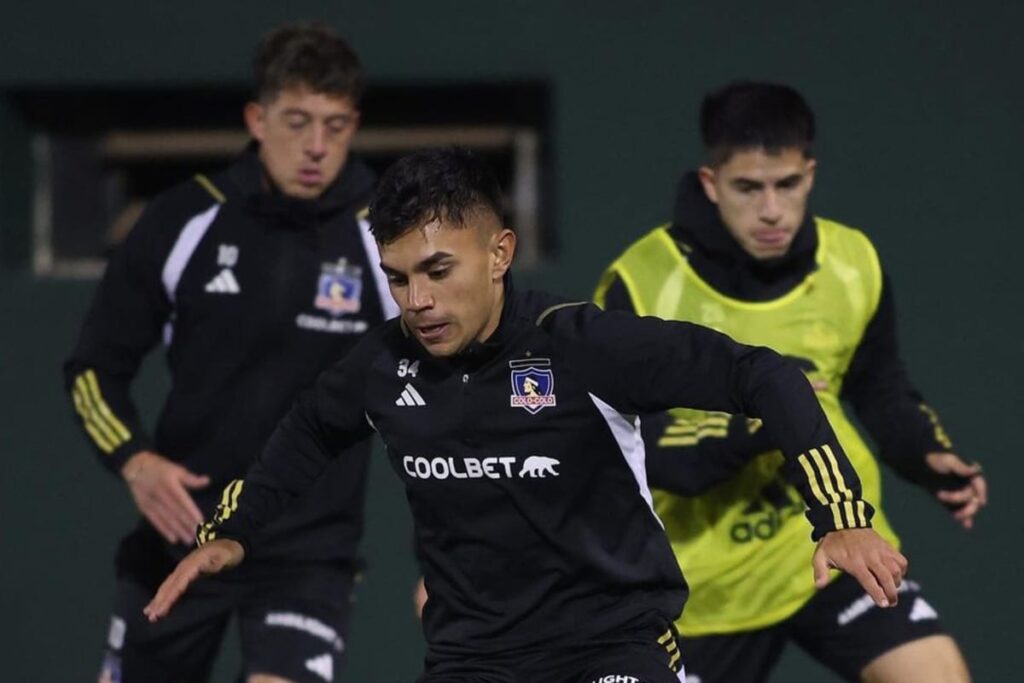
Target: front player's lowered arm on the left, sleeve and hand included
x: 326, y: 421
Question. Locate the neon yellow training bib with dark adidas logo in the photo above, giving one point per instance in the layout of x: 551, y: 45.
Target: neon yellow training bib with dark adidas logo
x: 745, y: 546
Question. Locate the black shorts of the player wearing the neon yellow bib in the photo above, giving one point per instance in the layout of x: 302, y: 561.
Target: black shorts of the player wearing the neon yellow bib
x: 840, y: 627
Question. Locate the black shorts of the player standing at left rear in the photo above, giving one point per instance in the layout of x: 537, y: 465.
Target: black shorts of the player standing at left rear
x: 293, y: 623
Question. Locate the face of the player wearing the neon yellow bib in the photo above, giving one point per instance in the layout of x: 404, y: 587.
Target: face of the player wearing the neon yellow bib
x: 761, y: 197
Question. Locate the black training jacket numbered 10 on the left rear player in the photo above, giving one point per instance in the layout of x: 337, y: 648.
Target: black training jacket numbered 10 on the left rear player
x: 252, y: 294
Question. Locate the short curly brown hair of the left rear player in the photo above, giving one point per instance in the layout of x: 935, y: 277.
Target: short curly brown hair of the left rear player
x: 309, y: 55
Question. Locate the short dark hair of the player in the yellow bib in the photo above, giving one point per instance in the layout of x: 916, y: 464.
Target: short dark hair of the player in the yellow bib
x: 748, y: 115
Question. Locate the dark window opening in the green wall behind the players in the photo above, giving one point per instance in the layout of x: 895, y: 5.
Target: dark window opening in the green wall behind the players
x: 100, y: 156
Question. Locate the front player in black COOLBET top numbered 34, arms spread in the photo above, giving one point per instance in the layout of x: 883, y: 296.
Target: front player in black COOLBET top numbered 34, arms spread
x: 543, y: 558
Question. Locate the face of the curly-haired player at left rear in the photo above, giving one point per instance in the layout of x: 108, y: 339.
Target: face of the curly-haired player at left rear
x: 305, y: 139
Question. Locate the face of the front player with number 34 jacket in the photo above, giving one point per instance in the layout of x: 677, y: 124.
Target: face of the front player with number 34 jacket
x: 447, y: 280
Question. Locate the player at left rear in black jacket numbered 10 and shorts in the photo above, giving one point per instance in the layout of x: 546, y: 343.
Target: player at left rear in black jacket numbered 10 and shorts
x: 257, y: 279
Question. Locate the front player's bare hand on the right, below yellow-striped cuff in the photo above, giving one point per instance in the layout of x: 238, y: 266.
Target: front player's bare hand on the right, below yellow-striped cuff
x: 866, y: 557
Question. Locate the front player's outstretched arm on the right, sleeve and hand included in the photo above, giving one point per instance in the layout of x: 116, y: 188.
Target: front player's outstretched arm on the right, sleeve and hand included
x: 643, y: 365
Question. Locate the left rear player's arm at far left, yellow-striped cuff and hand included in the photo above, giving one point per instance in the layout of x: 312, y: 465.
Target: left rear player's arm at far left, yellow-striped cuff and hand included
x: 123, y: 324
